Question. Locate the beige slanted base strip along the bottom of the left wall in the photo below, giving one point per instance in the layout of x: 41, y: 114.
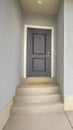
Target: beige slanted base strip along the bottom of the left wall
x: 4, y: 114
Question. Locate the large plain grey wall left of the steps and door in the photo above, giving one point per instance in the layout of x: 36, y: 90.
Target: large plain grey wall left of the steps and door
x: 10, y: 48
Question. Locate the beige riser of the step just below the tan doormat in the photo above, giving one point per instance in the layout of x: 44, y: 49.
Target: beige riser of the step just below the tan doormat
x: 38, y: 91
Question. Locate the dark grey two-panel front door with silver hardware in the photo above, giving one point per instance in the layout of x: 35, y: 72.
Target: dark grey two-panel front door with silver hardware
x: 38, y: 52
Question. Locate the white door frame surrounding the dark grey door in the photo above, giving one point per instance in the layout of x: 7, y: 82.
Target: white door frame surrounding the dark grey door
x: 52, y: 47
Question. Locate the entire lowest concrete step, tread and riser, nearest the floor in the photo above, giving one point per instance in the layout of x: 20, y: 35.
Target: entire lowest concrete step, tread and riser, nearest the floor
x: 36, y: 108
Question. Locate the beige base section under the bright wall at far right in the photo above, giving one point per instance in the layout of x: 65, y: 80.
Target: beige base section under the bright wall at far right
x: 68, y: 103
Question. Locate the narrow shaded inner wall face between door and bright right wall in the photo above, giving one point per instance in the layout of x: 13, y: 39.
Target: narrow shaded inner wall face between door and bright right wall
x: 60, y: 47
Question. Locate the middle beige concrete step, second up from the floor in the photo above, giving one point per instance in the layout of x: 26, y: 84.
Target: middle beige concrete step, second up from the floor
x: 38, y: 99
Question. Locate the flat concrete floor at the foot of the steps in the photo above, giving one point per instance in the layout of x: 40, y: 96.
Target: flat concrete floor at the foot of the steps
x: 50, y: 121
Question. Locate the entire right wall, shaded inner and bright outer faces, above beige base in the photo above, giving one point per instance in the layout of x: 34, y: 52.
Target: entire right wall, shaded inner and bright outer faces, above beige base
x: 65, y: 47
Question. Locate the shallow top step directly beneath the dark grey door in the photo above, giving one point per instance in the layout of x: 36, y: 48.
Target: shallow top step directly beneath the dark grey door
x: 37, y: 79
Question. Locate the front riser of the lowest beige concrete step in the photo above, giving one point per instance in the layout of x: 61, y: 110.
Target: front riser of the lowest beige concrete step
x: 36, y: 110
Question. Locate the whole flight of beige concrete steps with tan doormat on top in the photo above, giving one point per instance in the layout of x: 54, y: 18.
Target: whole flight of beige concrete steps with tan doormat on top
x: 39, y: 94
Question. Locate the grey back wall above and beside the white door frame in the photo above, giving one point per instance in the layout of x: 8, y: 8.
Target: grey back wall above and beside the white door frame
x: 40, y: 20
